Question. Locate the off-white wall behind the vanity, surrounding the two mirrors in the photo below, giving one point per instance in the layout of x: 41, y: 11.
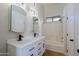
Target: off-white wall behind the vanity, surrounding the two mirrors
x: 5, y: 34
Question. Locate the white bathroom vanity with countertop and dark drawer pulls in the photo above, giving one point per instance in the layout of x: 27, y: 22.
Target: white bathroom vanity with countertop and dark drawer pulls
x: 27, y: 47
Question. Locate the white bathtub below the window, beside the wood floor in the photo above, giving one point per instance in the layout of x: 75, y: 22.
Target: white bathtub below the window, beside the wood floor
x: 55, y: 46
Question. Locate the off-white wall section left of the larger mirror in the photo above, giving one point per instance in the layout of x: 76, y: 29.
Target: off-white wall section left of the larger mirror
x: 5, y: 34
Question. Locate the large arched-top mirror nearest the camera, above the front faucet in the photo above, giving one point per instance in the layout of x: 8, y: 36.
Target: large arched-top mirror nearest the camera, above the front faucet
x: 18, y: 17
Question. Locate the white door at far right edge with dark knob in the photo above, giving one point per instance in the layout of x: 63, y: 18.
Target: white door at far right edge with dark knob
x: 76, y: 13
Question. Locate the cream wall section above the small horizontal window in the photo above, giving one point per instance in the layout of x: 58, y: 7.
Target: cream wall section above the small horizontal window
x: 53, y: 9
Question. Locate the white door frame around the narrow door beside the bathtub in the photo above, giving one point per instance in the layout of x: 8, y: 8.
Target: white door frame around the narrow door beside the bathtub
x: 65, y: 18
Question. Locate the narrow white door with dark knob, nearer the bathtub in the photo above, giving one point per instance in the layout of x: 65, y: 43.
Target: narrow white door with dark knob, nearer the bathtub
x: 70, y: 29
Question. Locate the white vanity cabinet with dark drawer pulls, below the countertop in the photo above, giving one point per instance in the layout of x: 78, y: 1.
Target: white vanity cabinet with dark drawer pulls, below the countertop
x: 32, y: 48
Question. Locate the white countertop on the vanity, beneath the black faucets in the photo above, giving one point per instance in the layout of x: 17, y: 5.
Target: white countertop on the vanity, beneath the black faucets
x: 25, y: 41
